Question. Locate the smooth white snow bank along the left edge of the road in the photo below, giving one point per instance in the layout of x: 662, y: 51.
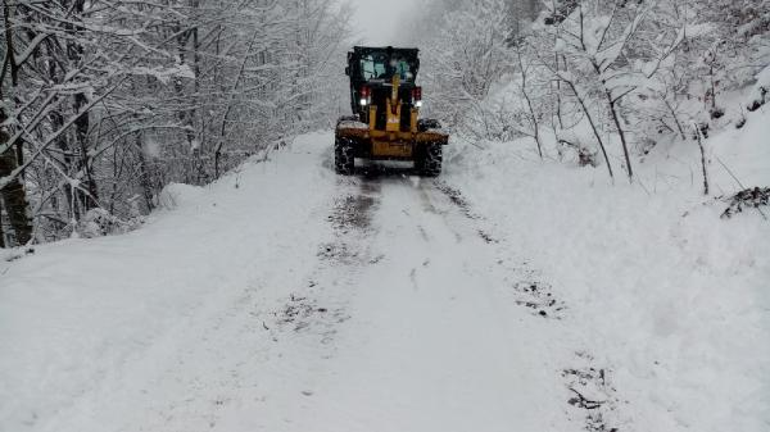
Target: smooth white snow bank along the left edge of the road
x: 78, y: 317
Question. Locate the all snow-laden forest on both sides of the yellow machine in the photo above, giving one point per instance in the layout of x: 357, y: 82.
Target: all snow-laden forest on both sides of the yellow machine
x: 106, y: 102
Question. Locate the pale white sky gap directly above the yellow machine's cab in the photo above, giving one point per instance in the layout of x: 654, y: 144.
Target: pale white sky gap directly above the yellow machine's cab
x: 377, y: 21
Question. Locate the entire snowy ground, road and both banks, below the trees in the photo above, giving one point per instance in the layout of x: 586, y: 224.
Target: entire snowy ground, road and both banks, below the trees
x: 508, y: 295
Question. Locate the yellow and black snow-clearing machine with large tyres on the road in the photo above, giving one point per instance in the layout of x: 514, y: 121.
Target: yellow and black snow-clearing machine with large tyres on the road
x: 386, y: 123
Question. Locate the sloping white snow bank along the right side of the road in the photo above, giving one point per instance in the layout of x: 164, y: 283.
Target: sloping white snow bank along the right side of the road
x: 657, y: 286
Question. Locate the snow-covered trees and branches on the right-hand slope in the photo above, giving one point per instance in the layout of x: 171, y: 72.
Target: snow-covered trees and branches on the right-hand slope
x: 616, y: 75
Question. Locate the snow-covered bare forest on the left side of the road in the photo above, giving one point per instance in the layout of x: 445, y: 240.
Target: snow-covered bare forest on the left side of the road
x: 106, y: 102
